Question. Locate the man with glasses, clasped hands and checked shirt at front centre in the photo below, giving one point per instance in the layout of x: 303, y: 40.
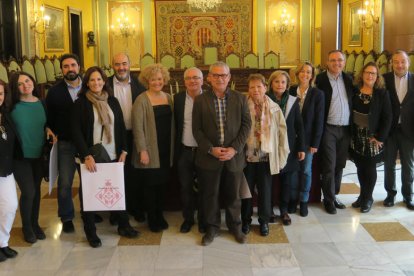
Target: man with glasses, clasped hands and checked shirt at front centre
x: 221, y: 124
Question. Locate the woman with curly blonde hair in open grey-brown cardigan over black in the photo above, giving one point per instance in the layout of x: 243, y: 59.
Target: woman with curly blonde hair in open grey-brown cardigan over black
x: 153, y: 130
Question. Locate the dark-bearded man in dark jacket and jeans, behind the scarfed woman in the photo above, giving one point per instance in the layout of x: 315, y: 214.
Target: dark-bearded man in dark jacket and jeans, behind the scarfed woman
x: 59, y: 101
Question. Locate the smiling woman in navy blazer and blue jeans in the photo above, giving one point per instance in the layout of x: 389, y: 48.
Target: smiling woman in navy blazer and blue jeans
x: 312, y: 107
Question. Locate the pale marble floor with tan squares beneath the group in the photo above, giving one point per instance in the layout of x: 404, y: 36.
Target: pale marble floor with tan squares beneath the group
x: 349, y: 243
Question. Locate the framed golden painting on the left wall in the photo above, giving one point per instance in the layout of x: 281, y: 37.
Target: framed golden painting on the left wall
x: 54, y: 41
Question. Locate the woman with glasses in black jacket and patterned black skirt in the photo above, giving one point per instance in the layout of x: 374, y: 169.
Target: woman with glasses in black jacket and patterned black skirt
x: 371, y: 122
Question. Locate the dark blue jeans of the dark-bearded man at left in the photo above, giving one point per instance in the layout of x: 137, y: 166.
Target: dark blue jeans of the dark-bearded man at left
x: 67, y: 167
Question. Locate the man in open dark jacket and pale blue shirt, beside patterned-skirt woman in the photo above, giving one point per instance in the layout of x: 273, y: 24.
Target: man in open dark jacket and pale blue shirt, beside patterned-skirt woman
x: 338, y: 90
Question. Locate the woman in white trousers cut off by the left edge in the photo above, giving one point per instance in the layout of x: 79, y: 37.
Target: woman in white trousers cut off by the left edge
x: 8, y: 195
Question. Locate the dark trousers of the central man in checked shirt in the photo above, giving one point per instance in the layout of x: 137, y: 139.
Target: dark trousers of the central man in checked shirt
x: 212, y: 184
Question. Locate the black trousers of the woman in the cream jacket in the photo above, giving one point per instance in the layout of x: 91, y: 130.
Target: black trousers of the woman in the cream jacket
x: 258, y: 174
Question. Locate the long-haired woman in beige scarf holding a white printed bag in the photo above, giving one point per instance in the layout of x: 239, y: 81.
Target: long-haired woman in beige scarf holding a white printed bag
x: 97, y: 117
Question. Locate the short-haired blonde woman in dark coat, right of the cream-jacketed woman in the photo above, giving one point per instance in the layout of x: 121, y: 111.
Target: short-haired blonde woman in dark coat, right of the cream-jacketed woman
x: 279, y: 82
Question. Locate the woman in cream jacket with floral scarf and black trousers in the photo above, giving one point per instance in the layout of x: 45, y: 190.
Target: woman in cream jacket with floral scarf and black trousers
x: 266, y: 152
